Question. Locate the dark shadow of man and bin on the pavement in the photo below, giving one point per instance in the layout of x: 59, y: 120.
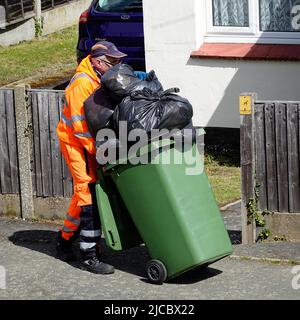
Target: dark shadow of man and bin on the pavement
x: 131, y: 261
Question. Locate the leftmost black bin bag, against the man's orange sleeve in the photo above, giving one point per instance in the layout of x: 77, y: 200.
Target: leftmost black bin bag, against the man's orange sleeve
x: 99, y: 109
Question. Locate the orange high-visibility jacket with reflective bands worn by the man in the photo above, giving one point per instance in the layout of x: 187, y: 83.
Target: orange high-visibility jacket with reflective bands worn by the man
x: 72, y: 128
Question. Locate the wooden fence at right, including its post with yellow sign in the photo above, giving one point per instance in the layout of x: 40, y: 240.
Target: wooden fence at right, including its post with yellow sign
x: 269, y: 163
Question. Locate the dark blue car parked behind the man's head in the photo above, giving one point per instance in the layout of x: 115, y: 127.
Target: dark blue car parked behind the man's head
x: 117, y: 21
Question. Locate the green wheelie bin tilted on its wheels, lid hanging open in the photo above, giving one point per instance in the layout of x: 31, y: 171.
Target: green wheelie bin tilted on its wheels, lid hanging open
x: 174, y: 213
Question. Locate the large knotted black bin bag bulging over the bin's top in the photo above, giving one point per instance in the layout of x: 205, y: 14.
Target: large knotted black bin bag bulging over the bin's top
x: 149, y: 110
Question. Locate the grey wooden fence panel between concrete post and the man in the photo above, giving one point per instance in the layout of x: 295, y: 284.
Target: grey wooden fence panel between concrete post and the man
x: 50, y: 175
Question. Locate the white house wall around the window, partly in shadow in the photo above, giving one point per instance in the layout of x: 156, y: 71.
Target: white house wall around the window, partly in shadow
x: 173, y: 29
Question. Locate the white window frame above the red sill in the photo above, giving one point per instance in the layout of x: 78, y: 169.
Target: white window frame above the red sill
x: 251, y: 34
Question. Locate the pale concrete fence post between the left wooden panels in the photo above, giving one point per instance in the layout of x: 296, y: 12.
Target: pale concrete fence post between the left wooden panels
x: 23, y: 143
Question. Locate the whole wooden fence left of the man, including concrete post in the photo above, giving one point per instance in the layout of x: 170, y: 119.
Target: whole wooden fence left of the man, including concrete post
x: 49, y: 174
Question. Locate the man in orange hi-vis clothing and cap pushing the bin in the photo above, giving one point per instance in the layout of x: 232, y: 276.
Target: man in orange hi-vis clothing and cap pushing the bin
x: 78, y: 149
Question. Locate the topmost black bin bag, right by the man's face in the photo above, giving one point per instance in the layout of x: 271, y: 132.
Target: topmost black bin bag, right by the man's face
x: 120, y: 81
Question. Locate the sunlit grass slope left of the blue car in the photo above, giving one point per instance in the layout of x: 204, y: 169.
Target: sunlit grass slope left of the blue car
x: 50, y: 56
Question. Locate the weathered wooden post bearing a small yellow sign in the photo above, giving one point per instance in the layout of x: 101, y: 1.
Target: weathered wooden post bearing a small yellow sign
x: 247, y: 143
